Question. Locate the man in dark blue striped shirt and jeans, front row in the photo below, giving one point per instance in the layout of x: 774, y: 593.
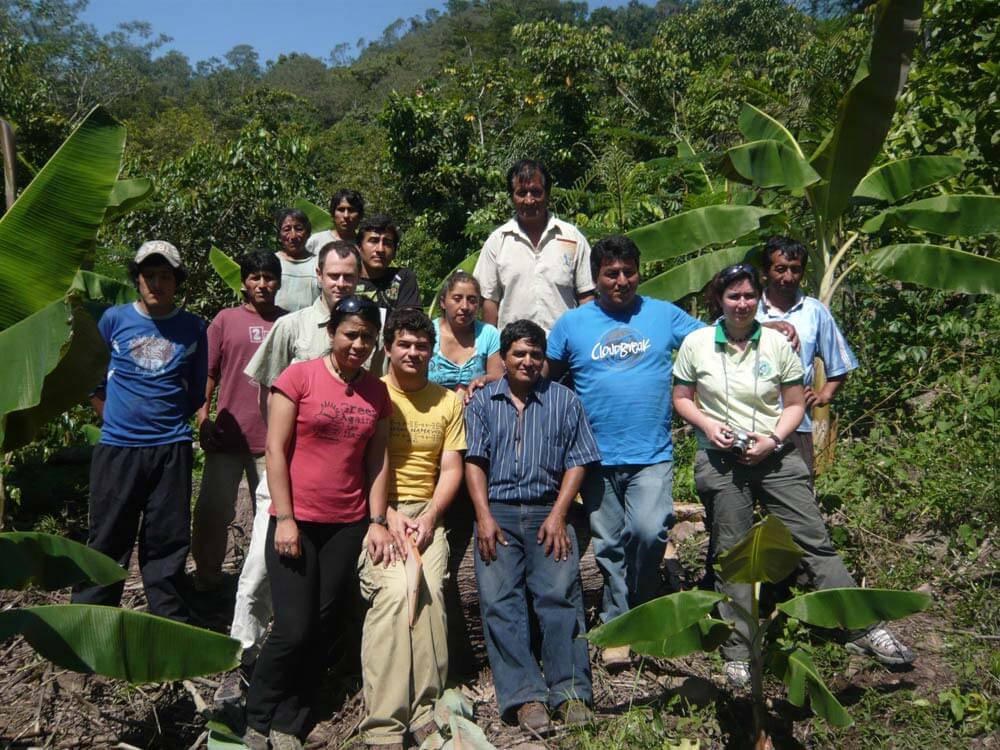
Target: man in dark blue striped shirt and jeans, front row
x: 528, y: 443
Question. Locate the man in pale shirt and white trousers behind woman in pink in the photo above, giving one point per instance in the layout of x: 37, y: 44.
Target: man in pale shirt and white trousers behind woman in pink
x: 296, y: 337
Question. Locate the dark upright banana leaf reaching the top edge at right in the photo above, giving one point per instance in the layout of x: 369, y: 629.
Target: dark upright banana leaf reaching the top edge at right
x: 866, y: 111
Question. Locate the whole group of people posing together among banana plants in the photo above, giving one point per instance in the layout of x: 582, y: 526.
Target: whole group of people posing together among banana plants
x: 358, y: 421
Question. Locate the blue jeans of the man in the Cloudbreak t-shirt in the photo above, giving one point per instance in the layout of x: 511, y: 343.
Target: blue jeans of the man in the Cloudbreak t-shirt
x: 631, y: 509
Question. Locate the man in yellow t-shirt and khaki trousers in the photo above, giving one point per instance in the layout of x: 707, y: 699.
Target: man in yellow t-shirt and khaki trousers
x: 404, y: 667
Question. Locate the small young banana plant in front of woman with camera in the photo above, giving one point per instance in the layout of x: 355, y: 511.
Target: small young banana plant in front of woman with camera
x: 681, y: 624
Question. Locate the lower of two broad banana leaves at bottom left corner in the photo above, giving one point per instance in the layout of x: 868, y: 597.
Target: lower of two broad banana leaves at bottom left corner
x: 116, y: 642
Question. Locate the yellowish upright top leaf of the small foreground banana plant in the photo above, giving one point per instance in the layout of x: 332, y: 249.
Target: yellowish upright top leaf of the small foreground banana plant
x: 766, y: 553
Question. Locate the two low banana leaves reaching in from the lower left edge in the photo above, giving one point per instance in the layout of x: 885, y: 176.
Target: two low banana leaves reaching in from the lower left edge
x: 94, y: 639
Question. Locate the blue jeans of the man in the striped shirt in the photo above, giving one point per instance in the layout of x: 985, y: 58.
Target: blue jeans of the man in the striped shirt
x: 521, y: 573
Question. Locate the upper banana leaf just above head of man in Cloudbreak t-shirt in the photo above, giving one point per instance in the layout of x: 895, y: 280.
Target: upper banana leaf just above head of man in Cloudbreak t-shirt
x: 695, y: 229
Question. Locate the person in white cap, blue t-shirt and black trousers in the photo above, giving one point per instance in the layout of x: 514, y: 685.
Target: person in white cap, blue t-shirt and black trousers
x: 142, y: 467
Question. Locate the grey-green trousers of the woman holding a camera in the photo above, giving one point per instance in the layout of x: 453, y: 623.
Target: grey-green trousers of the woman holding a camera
x: 781, y: 485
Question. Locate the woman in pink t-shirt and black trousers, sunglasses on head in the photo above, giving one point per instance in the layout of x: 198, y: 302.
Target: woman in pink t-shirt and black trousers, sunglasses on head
x: 328, y: 426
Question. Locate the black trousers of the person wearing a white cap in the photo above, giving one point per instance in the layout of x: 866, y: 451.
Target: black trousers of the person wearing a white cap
x: 145, y: 491
